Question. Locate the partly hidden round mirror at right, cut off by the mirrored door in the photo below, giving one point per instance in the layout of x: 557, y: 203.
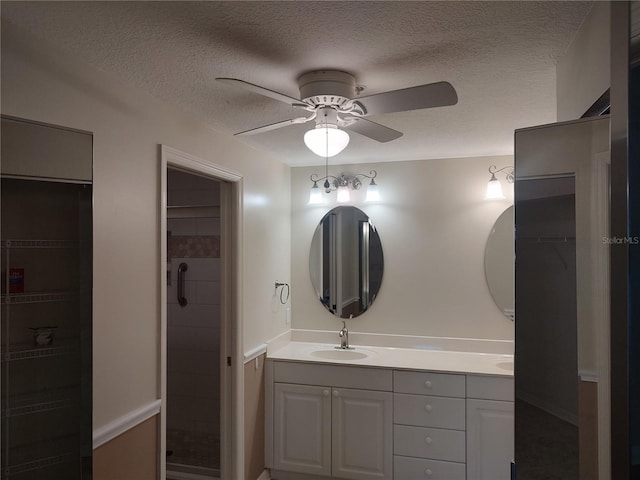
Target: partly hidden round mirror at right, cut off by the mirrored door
x: 499, y: 258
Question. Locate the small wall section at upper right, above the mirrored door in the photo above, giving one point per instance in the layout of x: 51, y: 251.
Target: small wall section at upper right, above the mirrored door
x: 583, y: 73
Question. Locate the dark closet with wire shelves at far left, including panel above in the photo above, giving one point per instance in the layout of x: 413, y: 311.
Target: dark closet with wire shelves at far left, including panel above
x: 46, y: 302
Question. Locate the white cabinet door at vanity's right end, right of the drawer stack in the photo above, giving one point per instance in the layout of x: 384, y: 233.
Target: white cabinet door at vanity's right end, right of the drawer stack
x: 489, y: 439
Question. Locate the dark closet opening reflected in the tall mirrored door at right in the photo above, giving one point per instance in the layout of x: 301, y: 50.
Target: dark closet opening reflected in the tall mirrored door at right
x: 546, y: 366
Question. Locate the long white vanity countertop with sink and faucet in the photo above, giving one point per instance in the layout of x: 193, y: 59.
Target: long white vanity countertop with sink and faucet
x: 400, y: 358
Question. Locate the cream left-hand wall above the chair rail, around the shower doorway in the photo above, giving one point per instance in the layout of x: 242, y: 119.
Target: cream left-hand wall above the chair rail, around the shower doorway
x: 44, y: 84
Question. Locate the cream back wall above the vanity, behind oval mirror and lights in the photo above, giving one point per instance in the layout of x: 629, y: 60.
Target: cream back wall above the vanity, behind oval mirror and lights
x: 433, y: 223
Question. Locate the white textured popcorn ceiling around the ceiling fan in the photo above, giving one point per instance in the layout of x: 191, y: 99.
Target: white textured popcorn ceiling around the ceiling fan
x: 499, y: 56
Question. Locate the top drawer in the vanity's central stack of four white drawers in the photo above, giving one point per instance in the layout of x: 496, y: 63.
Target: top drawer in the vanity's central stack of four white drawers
x: 426, y: 383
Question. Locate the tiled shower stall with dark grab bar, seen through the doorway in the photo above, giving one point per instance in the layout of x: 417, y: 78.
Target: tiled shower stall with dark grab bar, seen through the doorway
x: 193, y: 327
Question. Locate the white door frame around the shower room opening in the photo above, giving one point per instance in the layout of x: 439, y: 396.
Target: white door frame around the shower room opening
x: 231, y: 378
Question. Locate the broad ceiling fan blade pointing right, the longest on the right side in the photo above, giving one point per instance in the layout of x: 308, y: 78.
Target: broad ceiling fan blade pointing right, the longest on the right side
x: 437, y: 94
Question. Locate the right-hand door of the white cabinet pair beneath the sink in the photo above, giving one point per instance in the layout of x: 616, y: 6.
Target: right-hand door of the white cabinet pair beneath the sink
x: 362, y: 436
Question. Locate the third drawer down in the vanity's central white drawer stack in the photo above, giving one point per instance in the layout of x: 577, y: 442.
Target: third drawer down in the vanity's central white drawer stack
x: 433, y: 443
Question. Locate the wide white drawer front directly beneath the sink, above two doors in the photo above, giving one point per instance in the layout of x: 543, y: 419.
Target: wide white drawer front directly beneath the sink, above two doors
x: 333, y: 375
